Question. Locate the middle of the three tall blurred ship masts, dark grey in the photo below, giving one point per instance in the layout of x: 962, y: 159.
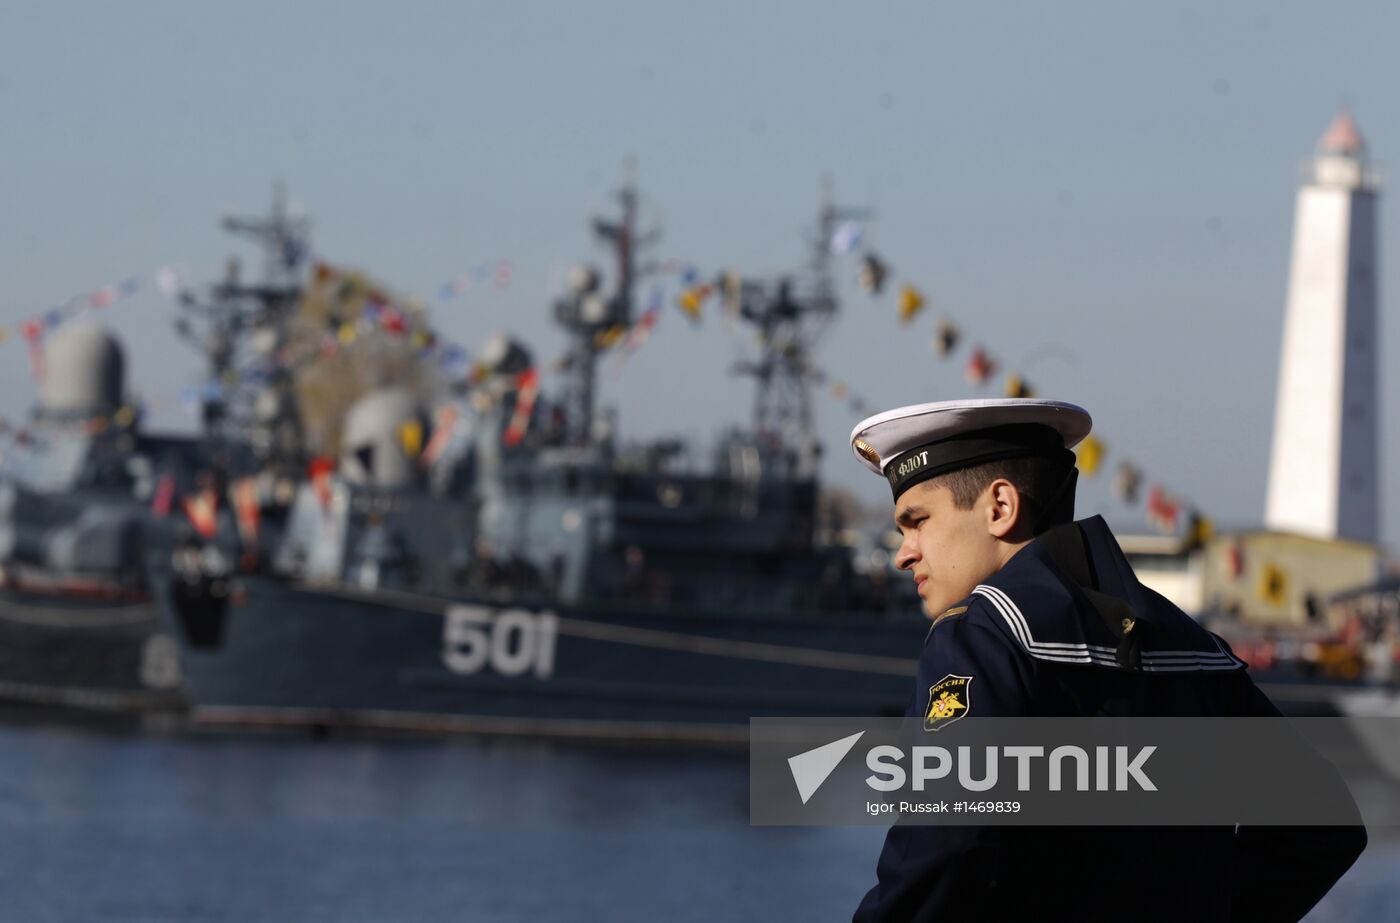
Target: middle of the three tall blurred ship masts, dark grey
x: 590, y: 316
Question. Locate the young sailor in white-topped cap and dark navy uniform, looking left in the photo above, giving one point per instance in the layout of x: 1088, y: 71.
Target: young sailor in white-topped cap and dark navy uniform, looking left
x: 1038, y: 616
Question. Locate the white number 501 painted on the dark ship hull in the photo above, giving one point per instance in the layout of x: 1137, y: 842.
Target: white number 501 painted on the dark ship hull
x: 512, y: 644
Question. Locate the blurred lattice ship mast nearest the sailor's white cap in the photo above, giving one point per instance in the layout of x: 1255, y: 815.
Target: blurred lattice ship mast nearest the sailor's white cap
x: 790, y: 319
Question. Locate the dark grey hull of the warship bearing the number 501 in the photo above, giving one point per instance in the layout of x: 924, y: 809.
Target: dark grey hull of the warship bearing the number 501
x: 292, y: 655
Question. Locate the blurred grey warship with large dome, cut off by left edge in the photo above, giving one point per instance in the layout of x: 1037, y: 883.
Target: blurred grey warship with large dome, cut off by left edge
x: 79, y: 623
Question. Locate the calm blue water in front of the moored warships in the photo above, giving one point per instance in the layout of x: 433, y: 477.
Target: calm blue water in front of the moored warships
x: 132, y: 827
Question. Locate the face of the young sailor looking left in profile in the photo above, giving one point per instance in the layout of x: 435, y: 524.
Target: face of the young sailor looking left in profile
x: 948, y: 551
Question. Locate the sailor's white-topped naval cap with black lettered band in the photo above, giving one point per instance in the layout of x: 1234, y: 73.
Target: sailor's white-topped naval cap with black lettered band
x: 925, y: 440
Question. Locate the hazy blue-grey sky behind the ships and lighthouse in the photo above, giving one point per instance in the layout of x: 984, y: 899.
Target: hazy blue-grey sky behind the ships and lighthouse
x: 1101, y: 194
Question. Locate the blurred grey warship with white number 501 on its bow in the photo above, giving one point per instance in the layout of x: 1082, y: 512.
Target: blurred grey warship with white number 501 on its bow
x: 541, y: 575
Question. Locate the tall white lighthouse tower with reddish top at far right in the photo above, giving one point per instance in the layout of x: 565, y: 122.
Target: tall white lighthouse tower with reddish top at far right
x: 1324, y: 474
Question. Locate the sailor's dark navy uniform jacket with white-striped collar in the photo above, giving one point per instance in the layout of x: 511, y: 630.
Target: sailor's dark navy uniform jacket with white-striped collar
x: 1045, y: 637
